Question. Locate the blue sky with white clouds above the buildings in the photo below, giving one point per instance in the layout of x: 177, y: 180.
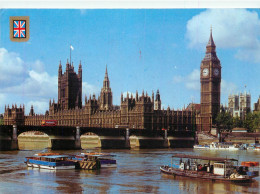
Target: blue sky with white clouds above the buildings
x: 144, y: 49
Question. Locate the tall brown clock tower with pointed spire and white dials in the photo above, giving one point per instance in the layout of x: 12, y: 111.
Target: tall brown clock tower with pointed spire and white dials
x: 210, y: 79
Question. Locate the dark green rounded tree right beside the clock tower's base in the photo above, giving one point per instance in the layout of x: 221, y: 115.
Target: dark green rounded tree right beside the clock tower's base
x: 224, y: 121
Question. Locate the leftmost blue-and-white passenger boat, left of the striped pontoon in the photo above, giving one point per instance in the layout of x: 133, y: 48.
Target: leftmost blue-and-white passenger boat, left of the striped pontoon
x: 52, y: 162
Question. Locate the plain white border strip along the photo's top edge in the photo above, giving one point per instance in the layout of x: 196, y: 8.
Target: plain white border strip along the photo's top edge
x: 133, y: 4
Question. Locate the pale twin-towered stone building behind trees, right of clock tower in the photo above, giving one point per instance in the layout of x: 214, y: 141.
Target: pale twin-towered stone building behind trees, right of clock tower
x: 239, y: 104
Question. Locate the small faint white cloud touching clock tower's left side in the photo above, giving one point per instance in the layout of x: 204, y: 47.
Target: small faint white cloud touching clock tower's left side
x: 191, y: 81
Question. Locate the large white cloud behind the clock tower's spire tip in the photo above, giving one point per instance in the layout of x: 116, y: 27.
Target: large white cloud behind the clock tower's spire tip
x: 232, y: 28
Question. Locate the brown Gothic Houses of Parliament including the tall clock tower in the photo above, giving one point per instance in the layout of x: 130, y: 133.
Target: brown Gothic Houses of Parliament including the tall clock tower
x: 138, y: 112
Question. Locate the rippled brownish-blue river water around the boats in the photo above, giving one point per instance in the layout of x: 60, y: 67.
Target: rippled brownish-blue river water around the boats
x: 137, y: 172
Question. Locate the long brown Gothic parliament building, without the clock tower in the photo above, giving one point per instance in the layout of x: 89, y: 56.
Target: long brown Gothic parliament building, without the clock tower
x: 139, y: 112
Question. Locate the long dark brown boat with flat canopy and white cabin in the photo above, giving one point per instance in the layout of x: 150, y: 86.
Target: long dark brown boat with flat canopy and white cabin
x: 203, y: 167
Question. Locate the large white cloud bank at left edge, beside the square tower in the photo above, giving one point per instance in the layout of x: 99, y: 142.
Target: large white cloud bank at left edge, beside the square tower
x: 20, y: 85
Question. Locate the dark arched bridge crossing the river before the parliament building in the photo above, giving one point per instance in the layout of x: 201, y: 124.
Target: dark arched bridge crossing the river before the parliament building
x: 64, y: 137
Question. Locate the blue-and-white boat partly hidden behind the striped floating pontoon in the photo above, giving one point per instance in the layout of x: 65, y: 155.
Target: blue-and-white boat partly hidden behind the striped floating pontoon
x: 105, y: 159
